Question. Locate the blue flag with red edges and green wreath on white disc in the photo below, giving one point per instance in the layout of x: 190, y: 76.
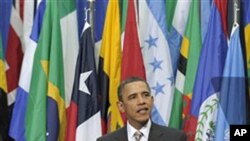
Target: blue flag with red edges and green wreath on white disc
x: 211, y: 63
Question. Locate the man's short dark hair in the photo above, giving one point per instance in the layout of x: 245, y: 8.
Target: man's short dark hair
x: 127, y: 81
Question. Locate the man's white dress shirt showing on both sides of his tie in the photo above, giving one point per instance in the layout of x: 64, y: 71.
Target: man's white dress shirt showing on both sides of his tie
x: 144, y: 130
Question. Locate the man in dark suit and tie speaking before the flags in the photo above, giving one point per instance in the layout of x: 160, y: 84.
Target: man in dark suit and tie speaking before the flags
x: 136, y: 101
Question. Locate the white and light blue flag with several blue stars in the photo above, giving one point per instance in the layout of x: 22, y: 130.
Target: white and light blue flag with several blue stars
x: 156, y: 55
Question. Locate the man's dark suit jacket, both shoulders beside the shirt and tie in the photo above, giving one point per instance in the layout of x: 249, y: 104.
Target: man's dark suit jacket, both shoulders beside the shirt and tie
x: 156, y: 133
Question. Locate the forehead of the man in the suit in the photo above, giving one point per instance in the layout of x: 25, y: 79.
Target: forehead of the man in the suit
x: 136, y: 87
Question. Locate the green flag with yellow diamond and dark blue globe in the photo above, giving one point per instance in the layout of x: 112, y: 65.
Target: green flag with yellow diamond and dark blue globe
x: 45, y: 115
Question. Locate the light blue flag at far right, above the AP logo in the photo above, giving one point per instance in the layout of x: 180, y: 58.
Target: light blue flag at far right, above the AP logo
x: 232, y: 97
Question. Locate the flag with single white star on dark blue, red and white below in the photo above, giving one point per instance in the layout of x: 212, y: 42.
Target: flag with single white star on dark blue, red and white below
x: 84, y: 119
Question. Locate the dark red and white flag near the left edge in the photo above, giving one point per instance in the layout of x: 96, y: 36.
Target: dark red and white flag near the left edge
x: 14, y: 52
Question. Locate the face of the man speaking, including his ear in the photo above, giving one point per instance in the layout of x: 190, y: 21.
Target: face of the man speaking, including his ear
x: 136, y: 103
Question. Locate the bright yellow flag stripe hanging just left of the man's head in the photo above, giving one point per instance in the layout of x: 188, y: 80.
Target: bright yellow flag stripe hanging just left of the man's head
x: 111, y: 53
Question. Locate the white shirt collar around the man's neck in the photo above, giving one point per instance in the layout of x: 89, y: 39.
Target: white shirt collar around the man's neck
x: 144, y: 130
